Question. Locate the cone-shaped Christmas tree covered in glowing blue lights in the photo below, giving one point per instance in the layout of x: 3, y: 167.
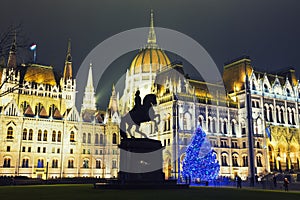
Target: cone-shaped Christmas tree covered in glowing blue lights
x: 200, y: 162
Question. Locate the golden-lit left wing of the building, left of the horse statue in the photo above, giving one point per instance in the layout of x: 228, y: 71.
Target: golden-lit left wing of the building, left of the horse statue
x: 42, y: 133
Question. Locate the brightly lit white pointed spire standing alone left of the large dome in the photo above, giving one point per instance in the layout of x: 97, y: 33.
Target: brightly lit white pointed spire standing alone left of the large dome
x: 89, y: 100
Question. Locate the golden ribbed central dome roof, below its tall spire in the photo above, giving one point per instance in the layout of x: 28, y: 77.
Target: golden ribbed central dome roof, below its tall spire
x: 149, y: 60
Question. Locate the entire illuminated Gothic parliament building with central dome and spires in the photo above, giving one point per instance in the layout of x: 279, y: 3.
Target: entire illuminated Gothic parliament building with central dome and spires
x: 43, y: 134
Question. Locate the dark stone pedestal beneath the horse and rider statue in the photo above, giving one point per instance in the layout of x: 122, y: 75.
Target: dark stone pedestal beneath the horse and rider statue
x: 141, y: 161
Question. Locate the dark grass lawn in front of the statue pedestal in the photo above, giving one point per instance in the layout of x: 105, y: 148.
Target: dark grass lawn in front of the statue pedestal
x: 54, y: 192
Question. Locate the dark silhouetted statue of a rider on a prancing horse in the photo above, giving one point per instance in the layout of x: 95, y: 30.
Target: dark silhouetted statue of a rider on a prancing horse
x: 139, y: 114
